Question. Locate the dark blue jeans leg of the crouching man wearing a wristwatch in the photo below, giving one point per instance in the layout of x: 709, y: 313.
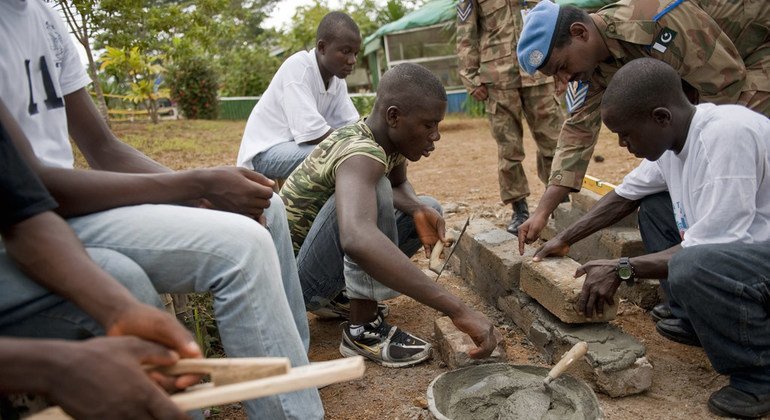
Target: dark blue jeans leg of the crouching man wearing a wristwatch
x: 724, y: 290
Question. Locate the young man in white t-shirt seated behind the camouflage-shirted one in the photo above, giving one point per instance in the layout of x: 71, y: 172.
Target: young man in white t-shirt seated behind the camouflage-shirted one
x: 306, y: 100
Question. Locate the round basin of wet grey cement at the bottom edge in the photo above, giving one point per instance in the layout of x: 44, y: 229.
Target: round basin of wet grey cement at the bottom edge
x: 505, y: 391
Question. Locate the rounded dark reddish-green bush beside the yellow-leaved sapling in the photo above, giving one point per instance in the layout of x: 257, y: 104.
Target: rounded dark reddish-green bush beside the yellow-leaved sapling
x: 194, y: 88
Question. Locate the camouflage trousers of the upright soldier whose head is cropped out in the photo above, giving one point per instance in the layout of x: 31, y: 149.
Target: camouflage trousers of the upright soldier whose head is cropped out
x: 544, y: 115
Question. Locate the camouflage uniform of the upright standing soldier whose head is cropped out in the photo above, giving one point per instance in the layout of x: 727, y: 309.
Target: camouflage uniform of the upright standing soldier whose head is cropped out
x: 487, y: 32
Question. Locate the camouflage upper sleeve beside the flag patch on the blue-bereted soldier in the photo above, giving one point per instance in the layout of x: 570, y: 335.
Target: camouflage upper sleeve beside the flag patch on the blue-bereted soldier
x: 702, y: 54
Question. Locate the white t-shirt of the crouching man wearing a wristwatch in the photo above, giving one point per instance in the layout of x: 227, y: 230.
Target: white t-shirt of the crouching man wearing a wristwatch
x: 720, y: 181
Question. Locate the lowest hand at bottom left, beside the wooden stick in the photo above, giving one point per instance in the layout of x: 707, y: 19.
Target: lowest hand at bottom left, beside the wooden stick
x: 103, y: 378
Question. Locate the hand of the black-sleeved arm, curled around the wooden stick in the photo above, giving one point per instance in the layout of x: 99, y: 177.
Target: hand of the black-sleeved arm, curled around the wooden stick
x: 152, y: 324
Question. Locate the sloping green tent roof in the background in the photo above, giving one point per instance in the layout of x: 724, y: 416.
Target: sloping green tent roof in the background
x: 431, y: 13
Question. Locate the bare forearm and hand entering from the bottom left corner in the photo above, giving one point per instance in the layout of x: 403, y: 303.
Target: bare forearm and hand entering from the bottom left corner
x: 98, y: 378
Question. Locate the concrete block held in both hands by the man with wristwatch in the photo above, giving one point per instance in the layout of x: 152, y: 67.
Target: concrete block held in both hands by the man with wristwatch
x: 551, y: 282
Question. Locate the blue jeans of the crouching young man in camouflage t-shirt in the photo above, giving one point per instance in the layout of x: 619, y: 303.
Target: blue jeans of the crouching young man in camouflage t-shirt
x: 325, y: 270
